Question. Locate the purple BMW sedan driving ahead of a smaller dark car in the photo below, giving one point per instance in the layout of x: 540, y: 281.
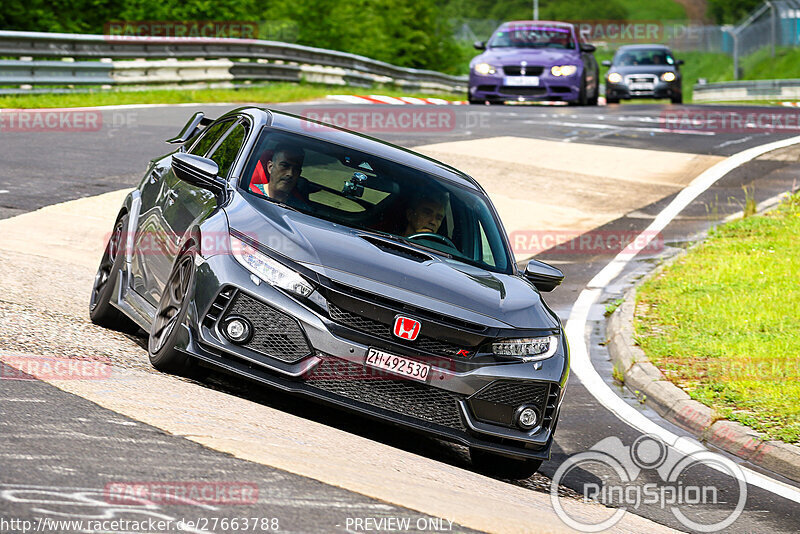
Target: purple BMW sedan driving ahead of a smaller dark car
x: 534, y: 60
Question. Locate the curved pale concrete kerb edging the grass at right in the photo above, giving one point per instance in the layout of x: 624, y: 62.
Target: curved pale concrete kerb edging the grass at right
x: 649, y: 384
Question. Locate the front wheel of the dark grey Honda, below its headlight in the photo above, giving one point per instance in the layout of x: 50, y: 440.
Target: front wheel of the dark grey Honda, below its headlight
x: 170, y: 314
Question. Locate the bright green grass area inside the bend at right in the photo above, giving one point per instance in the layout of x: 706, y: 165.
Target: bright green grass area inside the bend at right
x: 722, y: 322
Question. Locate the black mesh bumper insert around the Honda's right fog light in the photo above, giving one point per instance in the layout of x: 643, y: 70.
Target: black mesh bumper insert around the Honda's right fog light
x: 498, y: 402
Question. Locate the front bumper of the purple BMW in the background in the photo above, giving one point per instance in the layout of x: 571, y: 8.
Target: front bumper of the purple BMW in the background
x: 492, y: 88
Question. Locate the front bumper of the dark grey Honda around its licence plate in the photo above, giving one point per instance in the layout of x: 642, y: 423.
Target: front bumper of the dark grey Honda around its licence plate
x: 464, y: 404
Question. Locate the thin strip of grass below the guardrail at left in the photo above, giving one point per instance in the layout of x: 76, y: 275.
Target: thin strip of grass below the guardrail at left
x: 272, y: 93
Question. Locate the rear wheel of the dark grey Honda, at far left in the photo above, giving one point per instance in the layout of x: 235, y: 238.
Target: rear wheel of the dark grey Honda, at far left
x: 101, y: 311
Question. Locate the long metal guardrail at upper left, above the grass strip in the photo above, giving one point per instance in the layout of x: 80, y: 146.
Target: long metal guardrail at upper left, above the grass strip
x: 169, y: 60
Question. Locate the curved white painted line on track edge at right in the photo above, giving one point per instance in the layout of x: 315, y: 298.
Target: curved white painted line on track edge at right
x: 577, y: 326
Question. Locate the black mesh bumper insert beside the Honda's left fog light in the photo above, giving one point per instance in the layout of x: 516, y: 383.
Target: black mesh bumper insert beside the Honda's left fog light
x: 275, y: 334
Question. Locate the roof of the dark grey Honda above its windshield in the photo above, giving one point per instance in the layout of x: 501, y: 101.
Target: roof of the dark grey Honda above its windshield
x: 364, y: 143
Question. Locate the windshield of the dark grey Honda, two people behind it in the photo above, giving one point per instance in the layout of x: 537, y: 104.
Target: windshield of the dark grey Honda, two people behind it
x: 366, y: 192
